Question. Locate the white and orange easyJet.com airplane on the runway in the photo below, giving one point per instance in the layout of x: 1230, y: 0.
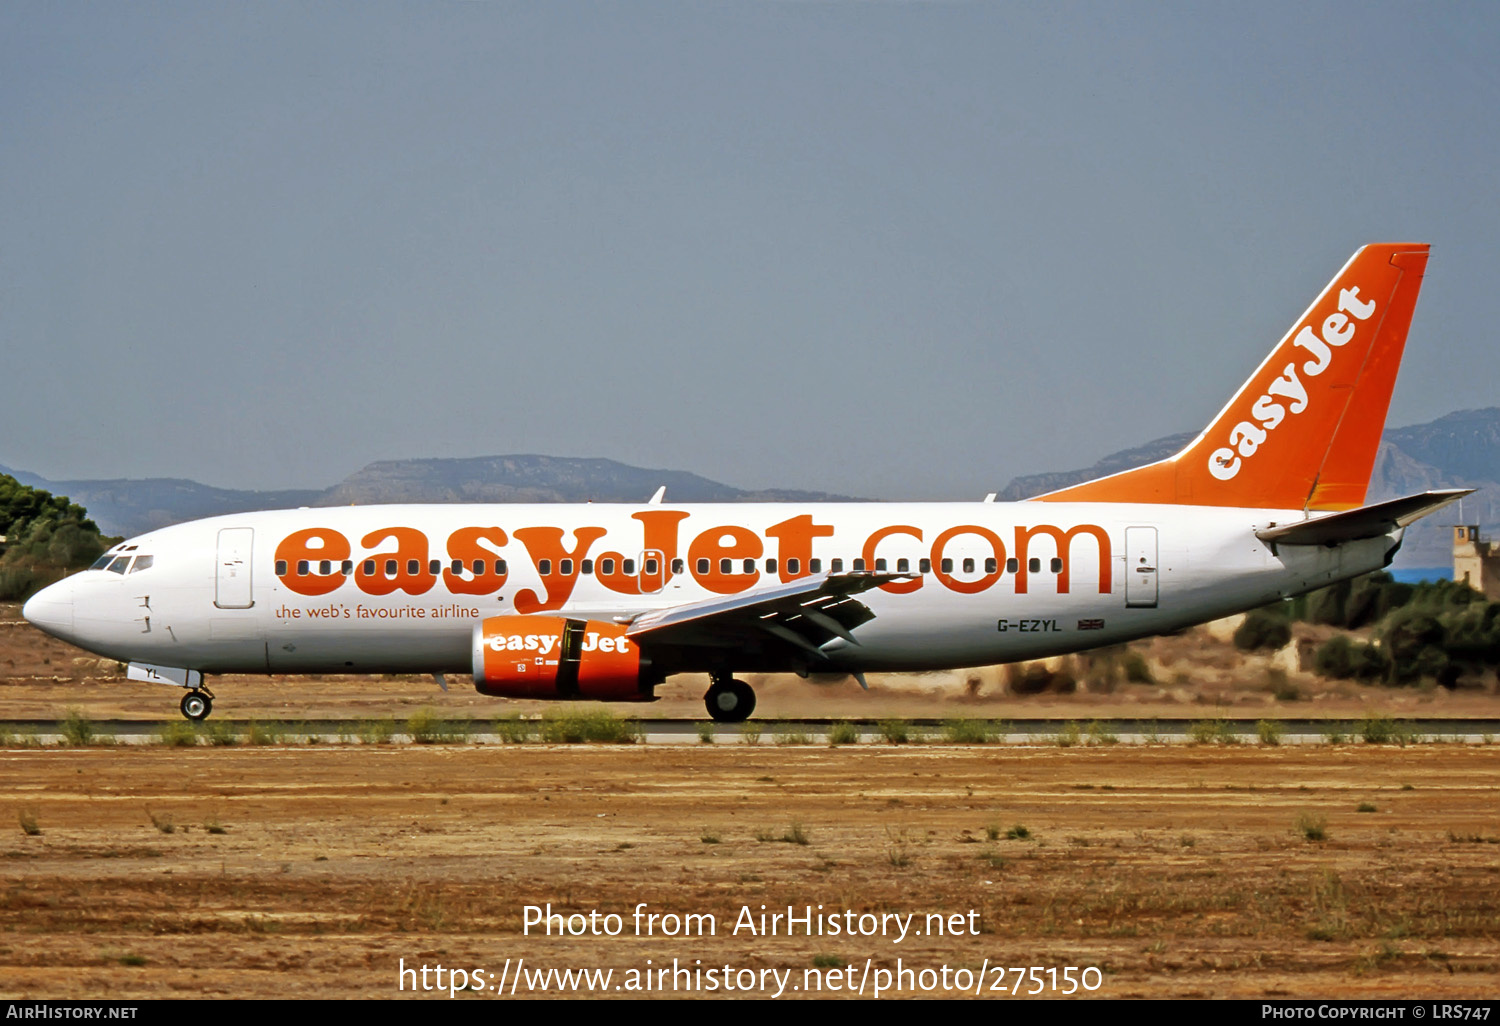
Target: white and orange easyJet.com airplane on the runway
x: 607, y: 601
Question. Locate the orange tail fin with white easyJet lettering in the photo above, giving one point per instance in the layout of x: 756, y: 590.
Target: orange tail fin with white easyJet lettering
x: 1303, y: 433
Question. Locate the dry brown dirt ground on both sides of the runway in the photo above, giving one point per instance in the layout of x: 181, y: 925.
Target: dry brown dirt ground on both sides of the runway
x: 322, y: 871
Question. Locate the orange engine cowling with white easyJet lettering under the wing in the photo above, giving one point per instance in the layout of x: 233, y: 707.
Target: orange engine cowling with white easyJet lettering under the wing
x: 553, y: 658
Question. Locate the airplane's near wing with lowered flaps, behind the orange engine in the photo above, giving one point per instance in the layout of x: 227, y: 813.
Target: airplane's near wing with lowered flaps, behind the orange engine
x: 805, y: 614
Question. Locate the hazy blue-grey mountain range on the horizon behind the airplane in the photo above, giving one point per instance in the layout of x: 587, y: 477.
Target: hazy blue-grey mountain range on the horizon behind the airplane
x: 1459, y: 451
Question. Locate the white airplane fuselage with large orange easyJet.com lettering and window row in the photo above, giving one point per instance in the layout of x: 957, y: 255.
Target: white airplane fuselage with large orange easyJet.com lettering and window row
x: 991, y: 583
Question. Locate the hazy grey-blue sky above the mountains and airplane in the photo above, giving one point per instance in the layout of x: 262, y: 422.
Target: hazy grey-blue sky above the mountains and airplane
x: 901, y: 251
